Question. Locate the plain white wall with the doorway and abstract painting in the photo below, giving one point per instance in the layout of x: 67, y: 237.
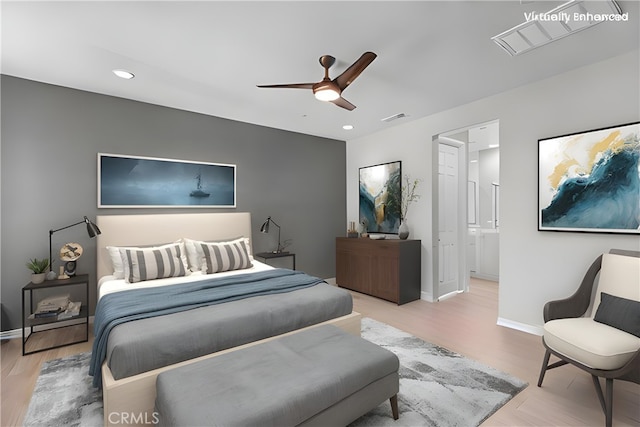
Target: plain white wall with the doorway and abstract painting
x: 534, y: 266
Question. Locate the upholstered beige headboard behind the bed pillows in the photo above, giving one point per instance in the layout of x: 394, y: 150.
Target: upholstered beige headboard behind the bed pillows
x: 145, y: 230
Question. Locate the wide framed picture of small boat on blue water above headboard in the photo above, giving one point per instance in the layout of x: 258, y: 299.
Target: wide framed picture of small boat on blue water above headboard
x: 147, y: 182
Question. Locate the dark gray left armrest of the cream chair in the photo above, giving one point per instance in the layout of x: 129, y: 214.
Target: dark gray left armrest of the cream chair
x: 578, y: 303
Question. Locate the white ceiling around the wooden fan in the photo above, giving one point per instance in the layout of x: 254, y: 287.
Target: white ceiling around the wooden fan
x: 208, y: 56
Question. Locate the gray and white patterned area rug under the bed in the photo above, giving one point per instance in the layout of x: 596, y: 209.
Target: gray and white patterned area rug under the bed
x: 437, y: 387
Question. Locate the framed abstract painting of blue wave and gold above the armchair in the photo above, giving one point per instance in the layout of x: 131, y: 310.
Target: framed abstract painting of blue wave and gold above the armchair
x: 590, y: 181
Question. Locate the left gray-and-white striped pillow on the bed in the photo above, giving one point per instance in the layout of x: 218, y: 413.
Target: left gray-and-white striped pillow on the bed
x: 153, y: 263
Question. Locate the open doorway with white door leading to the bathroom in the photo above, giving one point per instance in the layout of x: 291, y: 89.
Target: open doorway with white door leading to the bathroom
x: 466, y: 201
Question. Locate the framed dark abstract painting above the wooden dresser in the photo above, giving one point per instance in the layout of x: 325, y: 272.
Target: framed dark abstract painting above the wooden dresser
x: 380, y: 196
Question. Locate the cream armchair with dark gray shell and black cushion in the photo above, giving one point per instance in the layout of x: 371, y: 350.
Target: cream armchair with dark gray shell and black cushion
x: 603, y: 341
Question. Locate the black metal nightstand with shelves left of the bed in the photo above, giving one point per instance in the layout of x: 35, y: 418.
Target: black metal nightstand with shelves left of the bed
x: 47, y: 324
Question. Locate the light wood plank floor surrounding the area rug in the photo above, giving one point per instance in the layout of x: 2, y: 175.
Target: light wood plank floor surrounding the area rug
x: 465, y: 323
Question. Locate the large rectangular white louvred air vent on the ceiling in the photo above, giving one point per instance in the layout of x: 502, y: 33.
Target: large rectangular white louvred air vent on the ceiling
x: 566, y: 19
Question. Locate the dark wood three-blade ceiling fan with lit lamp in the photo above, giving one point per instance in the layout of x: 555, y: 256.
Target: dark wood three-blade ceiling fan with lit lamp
x: 331, y: 90
